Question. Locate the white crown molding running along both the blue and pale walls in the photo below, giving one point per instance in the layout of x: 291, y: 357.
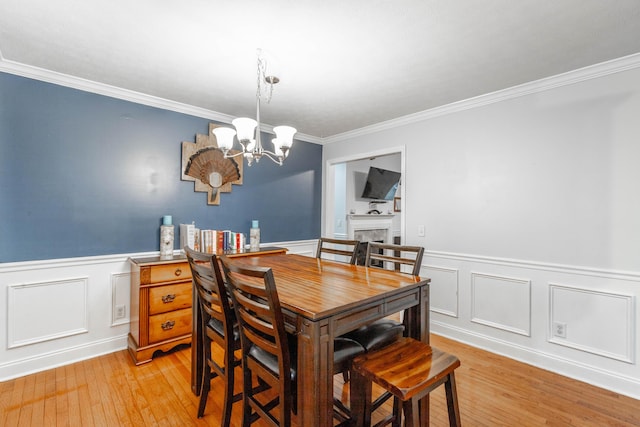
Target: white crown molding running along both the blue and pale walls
x: 591, y: 72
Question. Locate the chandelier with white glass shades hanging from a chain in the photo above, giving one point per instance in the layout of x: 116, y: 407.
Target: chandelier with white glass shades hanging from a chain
x: 247, y: 130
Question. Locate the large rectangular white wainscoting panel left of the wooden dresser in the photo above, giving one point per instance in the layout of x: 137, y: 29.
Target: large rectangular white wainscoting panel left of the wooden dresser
x: 33, y: 306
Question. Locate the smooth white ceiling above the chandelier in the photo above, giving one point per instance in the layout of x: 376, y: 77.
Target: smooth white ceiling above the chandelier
x: 344, y: 65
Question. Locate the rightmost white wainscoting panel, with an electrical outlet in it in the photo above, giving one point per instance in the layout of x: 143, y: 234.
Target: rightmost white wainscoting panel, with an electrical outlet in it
x: 598, y: 322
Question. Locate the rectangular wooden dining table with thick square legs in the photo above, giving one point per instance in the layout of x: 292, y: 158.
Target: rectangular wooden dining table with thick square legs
x: 323, y: 299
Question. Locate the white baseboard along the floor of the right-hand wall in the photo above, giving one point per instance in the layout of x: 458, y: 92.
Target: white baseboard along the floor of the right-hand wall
x: 590, y: 374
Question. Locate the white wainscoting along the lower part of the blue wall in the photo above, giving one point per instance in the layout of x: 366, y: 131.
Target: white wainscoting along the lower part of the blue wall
x: 64, y: 310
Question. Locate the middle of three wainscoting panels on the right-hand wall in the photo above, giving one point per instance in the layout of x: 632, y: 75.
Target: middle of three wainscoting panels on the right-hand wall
x: 501, y: 302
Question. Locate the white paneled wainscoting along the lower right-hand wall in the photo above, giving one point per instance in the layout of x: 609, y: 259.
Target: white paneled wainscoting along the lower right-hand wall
x: 510, y: 306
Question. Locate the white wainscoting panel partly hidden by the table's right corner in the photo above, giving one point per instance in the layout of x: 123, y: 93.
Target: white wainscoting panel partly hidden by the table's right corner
x: 443, y: 289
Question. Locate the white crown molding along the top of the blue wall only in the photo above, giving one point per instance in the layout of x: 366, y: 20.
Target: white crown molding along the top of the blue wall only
x: 85, y: 85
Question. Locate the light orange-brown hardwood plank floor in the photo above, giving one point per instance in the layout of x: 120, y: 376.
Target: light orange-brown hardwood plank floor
x: 111, y: 391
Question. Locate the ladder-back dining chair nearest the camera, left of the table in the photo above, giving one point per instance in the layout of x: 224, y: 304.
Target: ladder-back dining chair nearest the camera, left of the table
x: 267, y: 351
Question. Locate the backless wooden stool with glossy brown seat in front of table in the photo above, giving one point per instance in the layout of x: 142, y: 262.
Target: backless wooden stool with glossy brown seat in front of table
x: 409, y: 370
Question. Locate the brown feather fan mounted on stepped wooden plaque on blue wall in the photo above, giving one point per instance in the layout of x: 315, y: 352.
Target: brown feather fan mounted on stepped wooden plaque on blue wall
x: 204, y: 163
